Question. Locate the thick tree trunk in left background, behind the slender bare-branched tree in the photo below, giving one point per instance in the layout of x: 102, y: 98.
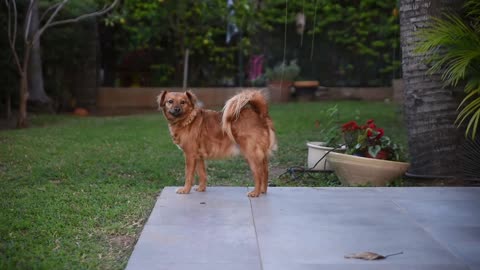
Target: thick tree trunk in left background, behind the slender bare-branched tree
x: 35, y: 73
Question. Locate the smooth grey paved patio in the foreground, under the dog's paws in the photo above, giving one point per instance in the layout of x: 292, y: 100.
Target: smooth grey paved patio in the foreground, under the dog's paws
x: 312, y: 228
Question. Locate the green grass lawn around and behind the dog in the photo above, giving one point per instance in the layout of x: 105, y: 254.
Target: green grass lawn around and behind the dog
x: 75, y: 192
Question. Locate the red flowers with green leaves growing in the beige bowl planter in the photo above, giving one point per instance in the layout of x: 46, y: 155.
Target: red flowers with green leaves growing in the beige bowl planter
x: 369, y: 141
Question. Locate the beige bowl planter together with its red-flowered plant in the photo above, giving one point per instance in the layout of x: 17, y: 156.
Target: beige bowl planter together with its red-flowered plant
x: 370, y: 158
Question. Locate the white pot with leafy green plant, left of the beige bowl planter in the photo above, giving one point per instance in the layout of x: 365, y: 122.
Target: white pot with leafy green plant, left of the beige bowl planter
x: 330, y: 137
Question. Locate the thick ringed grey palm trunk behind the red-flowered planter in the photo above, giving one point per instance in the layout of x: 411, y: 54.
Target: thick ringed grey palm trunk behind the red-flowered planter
x: 430, y: 109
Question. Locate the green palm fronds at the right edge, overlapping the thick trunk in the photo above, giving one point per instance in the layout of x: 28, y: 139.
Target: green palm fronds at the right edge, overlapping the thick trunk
x: 452, y: 47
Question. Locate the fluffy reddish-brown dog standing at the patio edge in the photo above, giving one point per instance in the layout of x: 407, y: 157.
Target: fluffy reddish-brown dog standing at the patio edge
x: 243, y: 127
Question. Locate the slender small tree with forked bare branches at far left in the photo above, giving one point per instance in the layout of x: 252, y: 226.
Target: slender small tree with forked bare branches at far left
x: 30, y: 38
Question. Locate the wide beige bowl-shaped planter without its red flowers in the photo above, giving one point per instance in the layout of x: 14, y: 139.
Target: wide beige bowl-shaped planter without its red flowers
x: 354, y: 170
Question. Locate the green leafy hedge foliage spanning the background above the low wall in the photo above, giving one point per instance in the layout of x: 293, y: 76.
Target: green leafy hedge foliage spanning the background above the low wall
x: 362, y: 28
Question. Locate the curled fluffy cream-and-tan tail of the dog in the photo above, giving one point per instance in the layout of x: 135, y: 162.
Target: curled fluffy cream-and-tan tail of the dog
x: 258, y: 102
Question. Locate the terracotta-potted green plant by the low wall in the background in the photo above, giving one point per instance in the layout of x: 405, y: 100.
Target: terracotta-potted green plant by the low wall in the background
x: 280, y: 79
